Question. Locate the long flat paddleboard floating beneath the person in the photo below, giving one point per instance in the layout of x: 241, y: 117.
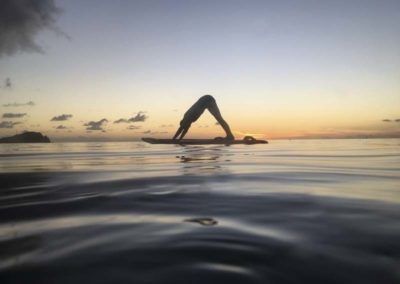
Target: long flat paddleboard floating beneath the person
x: 248, y: 140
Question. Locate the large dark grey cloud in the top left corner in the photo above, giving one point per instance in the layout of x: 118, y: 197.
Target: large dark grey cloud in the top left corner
x: 21, y: 21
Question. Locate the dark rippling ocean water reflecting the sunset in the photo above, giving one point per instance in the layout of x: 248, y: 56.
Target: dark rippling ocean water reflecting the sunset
x: 301, y: 211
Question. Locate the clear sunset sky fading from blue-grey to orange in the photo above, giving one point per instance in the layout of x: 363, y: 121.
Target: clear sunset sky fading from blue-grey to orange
x: 277, y: 69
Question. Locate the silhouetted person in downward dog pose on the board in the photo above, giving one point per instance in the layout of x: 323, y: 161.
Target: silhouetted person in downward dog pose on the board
x: 196, y: 110
